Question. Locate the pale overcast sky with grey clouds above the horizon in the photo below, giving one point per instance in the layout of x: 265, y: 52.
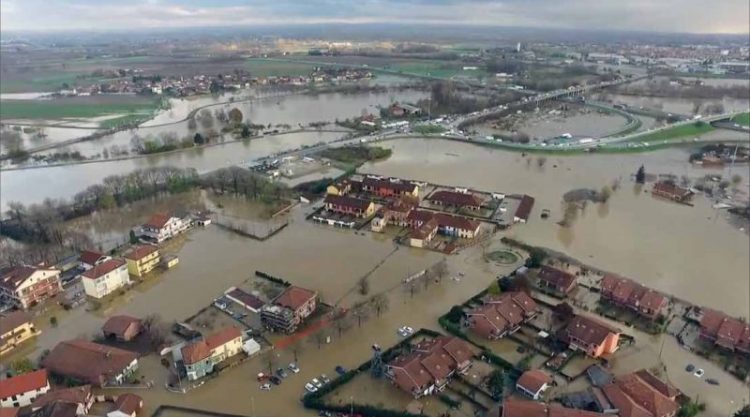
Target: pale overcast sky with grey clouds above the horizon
x: 698, y: 16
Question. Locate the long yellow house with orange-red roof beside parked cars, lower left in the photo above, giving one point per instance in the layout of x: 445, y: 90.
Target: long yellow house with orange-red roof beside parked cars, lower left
x: 199, y: 358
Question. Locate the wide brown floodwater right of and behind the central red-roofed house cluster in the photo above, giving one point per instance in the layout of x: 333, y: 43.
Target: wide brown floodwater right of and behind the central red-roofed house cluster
x: 674, y: 248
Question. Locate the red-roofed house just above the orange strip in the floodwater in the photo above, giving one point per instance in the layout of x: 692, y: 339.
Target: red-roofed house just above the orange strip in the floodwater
x: 289, y: 309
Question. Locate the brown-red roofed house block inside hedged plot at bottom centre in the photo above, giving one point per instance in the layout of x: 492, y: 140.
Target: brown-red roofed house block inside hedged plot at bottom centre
x: 431, y: 364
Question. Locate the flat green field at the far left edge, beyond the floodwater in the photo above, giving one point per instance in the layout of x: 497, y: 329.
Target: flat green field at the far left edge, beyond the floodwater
x: 76, y: 107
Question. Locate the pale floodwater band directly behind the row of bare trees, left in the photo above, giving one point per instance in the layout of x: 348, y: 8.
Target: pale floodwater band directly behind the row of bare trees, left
x: 65, y: 181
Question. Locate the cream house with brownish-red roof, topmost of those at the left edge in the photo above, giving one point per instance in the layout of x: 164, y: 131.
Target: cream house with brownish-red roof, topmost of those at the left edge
x: 24, y: 286
